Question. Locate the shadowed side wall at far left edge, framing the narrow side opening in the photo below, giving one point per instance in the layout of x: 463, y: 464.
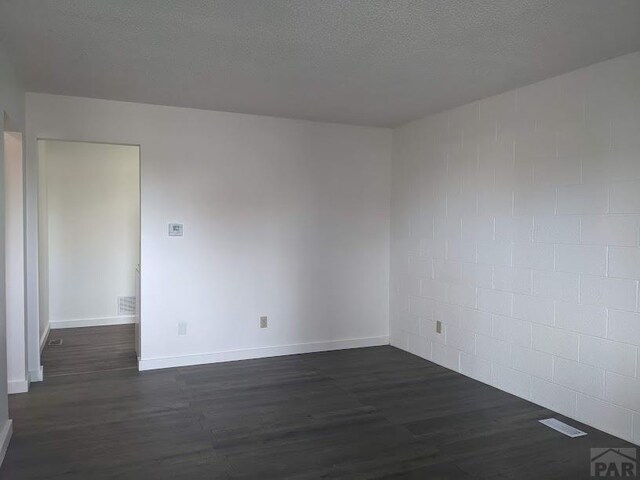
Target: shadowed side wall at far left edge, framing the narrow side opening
x: 11, y: 108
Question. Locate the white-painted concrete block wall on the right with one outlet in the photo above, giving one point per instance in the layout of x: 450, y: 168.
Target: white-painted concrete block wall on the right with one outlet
x: 516, y: 223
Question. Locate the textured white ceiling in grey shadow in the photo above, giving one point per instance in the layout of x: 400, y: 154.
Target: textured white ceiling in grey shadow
x: 367, y: 62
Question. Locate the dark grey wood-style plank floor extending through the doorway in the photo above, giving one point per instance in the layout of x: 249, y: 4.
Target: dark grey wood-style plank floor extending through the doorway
x: 366, y: 413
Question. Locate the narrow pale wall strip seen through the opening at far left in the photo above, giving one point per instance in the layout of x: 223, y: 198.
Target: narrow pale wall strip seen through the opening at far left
x: 14, y: 247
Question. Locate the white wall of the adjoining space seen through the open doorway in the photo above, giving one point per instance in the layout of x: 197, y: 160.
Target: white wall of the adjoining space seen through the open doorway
x: 91, y: 234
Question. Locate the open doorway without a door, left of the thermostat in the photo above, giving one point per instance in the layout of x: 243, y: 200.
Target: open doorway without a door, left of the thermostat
x: 88, y: 256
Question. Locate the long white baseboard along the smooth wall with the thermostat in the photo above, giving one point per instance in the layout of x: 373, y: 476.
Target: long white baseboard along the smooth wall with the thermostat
x: 262, y: 352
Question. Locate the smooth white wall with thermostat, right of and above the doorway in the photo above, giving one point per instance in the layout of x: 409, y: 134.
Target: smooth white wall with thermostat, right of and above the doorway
x: 283, y: 218
